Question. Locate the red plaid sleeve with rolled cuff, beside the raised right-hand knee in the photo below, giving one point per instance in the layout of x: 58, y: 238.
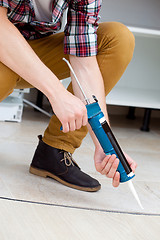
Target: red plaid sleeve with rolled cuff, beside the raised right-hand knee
x: 80, y: 31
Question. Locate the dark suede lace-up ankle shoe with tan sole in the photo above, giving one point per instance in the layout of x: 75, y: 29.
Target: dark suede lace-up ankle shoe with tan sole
x: 59, y: 165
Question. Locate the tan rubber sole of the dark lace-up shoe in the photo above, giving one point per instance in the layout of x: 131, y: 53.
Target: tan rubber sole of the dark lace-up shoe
x: 45, y: 174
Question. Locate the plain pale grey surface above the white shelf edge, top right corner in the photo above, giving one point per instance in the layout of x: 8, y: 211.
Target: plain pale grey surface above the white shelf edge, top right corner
x: 140, y: 13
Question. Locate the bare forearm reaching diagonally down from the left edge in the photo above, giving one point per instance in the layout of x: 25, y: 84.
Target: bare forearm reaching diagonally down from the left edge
x: 19, y: 56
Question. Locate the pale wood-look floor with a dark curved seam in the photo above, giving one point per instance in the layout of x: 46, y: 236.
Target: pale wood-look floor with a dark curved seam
x: 32, y: 207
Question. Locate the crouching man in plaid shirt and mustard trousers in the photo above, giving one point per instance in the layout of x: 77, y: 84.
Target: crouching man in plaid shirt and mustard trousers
x: 31, y: 55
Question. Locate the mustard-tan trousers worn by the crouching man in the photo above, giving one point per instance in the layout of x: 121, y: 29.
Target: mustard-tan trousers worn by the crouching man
x: 115, y: 50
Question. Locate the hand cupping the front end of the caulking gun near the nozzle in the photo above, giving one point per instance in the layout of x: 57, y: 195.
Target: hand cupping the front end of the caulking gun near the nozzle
x: 107, y: 165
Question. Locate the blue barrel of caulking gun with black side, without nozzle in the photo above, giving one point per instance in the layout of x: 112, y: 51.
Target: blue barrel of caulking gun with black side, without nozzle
x: 107, y: 140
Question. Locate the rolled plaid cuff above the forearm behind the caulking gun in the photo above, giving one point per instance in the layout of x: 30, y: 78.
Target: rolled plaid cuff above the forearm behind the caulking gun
x: 81, y: 45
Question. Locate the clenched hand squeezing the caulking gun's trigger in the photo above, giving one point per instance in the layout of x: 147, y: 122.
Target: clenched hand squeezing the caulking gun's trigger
x: 70, y: 110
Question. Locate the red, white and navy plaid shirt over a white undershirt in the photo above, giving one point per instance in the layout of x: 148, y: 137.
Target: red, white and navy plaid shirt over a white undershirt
x: 80, y: 31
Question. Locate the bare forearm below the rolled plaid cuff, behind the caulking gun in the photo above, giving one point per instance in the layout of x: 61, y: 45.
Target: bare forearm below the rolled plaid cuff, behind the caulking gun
x: 89, y: 75
